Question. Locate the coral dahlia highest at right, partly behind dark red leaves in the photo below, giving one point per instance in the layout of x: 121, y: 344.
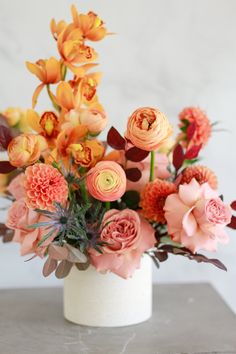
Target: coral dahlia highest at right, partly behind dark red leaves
x: 203, y: 126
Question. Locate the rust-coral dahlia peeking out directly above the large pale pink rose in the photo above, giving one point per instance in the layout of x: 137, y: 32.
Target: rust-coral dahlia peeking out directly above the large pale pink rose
x: 202, y: 174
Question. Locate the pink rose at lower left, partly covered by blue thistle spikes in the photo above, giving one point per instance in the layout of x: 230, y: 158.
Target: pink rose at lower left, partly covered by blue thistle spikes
x: 19, y: 218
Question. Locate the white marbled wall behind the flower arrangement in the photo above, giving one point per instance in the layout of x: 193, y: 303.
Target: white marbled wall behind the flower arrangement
x: 166, y: 53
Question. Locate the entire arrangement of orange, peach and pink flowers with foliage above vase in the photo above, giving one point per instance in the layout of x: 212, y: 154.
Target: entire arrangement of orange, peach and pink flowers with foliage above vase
x: 77, y: 200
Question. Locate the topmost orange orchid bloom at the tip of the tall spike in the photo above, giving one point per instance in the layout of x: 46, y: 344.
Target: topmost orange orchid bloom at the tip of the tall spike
x: 91, y: 26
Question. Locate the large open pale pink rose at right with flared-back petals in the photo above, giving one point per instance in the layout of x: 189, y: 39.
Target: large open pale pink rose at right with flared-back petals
x: 196, y: 217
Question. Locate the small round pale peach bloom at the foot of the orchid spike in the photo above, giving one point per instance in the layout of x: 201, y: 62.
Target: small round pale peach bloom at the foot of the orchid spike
x: 95, y: 120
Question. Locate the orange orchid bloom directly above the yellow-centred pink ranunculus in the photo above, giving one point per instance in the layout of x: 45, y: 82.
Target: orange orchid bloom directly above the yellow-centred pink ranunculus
x: 87, y: 153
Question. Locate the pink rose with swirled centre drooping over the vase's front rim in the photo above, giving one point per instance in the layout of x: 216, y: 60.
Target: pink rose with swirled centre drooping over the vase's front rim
x: 126, y: 236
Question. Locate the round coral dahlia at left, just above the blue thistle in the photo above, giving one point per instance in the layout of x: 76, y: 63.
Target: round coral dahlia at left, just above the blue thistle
x: 44, y: 185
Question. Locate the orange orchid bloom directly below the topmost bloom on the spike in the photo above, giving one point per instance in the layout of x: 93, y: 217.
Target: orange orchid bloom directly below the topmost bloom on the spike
x: 70, y: 43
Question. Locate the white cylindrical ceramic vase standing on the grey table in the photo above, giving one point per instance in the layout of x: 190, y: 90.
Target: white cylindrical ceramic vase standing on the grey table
x: 107, y: 300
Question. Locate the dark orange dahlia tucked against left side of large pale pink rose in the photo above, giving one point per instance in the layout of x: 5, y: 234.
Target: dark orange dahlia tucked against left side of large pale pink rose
x: 153, y: 199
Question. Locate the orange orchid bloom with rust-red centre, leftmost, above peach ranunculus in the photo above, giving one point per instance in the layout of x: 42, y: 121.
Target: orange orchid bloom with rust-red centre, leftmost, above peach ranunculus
x: 47, y: 124
